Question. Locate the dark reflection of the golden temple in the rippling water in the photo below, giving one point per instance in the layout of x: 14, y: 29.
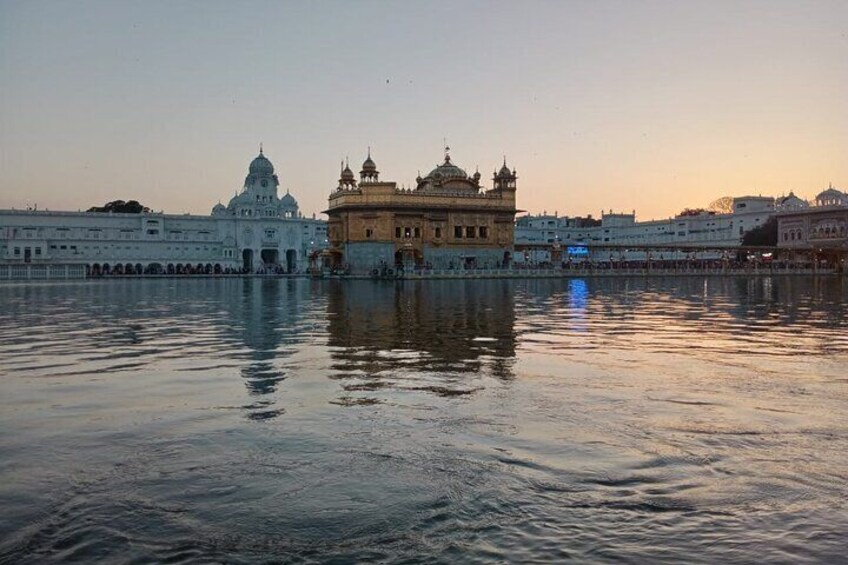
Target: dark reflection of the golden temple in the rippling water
x: 457, y: 326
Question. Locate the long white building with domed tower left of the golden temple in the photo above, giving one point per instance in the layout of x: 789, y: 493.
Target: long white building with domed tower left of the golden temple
x: 256, y: 232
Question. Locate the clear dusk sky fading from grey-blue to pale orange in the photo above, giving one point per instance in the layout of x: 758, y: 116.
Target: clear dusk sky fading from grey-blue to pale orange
x: 652, y: 106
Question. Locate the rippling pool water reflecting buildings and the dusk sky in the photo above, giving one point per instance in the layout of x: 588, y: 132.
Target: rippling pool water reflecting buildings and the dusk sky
x: 677, y: 419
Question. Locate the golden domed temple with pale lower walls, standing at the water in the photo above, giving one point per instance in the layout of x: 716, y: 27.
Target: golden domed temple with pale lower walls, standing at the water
x: 448, y: 221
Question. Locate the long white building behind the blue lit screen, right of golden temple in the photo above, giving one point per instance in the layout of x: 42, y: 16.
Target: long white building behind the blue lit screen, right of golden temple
x: 545, y: 238
